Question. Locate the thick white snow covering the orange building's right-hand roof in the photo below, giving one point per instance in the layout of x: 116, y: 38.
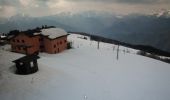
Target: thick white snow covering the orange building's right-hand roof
x: 53, y: 32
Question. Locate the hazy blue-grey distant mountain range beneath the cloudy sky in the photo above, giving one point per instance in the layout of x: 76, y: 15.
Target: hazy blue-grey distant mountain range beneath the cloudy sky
x: 153, y: 29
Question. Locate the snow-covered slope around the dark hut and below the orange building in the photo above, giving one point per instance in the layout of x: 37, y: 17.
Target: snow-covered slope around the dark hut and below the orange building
x: 86, y: 73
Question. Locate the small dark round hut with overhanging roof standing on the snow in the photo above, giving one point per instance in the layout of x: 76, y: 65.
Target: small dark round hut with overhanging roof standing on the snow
x: 27, y: 64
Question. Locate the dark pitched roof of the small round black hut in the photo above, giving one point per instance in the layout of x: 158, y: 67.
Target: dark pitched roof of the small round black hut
x: 27, y: 58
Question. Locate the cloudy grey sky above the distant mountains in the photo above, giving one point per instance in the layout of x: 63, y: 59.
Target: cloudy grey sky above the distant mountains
x: 38, y: 8
